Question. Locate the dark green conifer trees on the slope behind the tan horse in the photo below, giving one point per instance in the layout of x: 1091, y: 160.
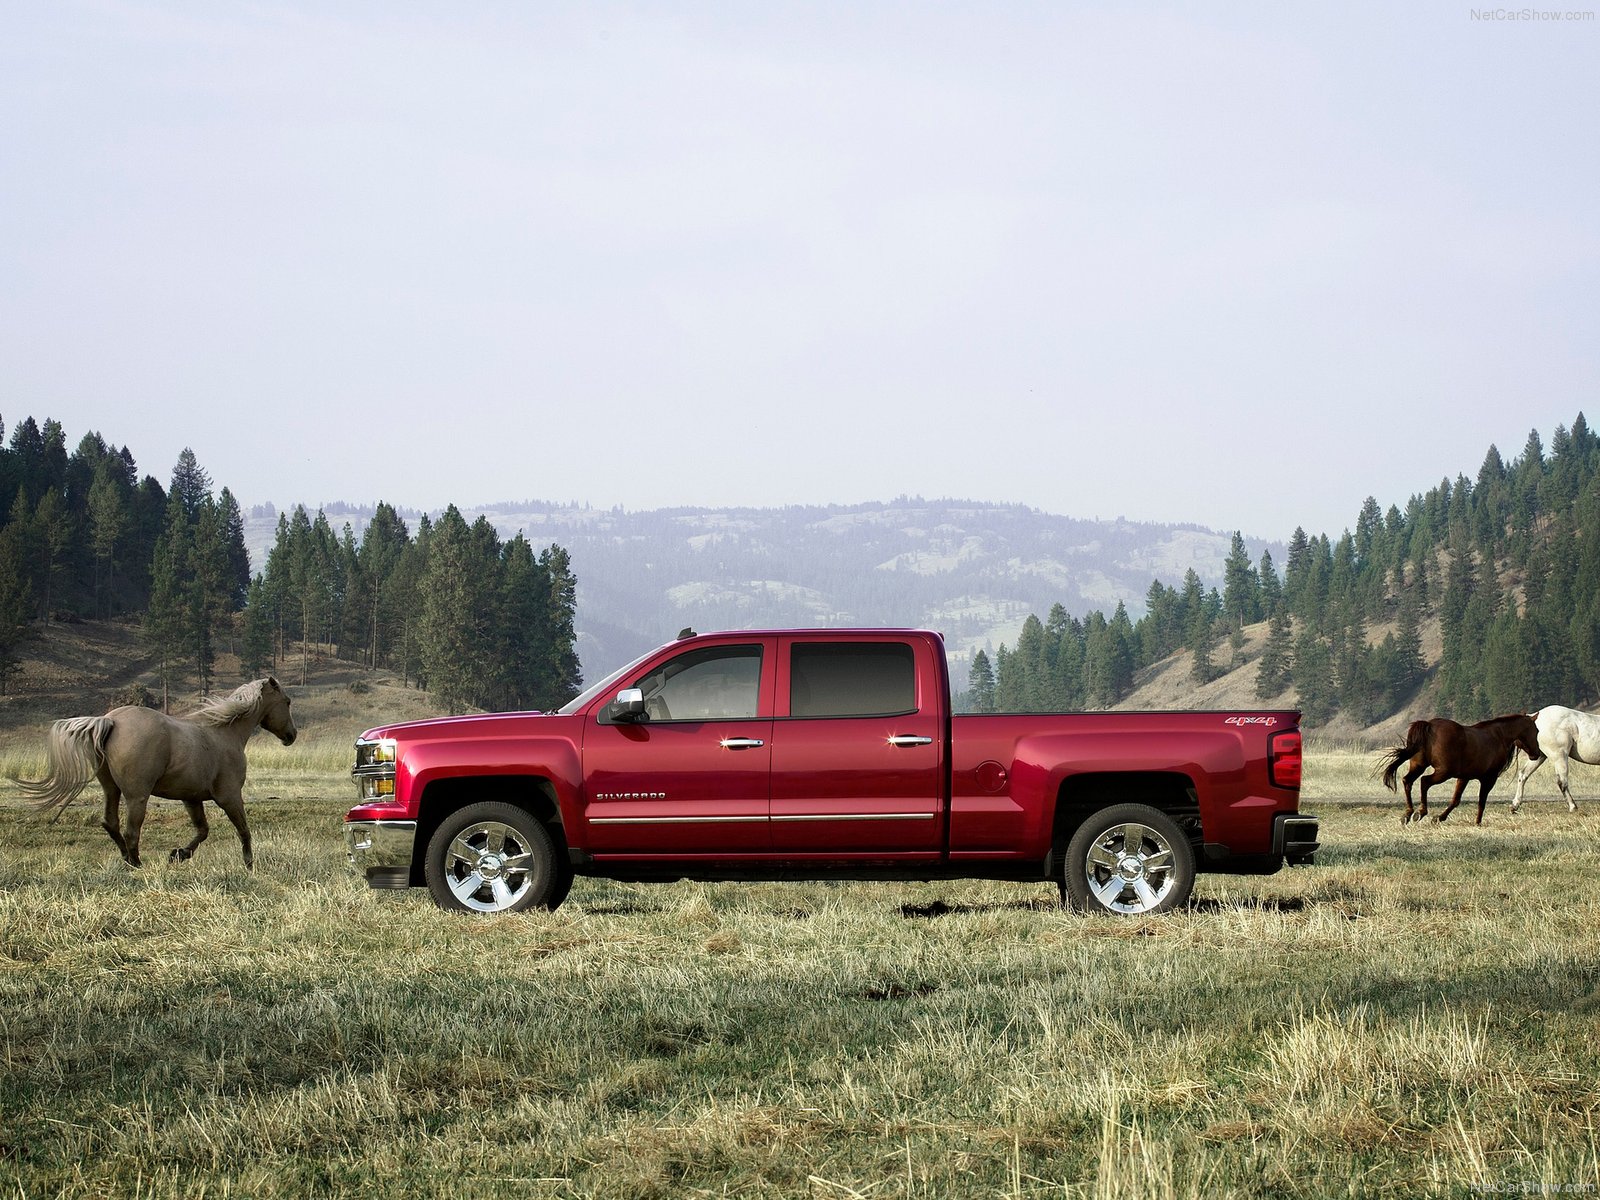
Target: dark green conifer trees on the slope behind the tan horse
x: 450, y: 607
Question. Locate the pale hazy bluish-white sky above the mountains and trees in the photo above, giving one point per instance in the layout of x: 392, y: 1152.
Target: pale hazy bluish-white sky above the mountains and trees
x: 1234, y: 265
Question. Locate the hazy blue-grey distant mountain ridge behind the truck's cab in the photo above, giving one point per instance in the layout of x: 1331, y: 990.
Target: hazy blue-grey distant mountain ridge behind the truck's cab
x: 972, y: 570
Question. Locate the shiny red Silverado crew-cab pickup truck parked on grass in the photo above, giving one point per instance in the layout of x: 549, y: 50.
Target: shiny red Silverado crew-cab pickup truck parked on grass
x: 822, y: 754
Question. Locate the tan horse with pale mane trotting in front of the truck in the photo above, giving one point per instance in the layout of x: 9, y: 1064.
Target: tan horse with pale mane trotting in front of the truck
x: 140, y: 753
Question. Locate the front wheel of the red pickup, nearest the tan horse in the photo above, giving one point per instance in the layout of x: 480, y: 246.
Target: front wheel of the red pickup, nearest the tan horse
x: 495, y: 858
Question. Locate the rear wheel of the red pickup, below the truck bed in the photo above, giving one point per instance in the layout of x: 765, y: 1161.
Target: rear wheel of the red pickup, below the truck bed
x: 1129, y: 862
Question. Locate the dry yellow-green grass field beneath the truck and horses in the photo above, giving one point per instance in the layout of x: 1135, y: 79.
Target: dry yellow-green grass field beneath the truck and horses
x: 1415, y: 1015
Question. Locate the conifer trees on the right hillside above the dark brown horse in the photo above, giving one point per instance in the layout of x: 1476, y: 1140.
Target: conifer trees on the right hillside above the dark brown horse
x: 1508, y: 562
